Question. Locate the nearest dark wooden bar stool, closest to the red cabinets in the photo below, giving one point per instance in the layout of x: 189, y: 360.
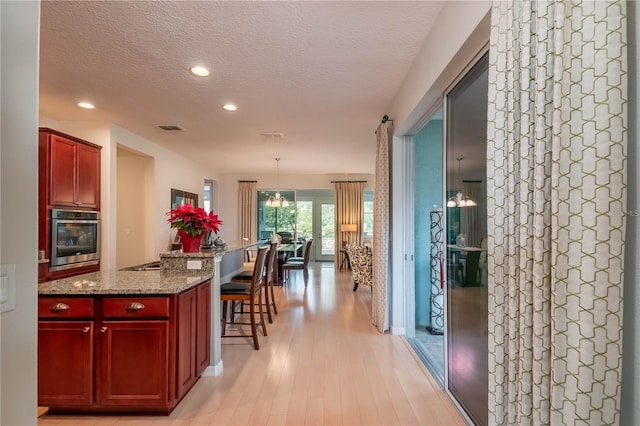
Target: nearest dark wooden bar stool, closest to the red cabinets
x: 250, y: 294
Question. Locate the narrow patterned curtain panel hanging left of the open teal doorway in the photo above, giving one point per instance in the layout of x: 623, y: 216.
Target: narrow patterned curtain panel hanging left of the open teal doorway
x: 379, y: 310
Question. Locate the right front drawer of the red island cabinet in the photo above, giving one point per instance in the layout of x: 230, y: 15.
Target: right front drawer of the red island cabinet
x: 133, y: 307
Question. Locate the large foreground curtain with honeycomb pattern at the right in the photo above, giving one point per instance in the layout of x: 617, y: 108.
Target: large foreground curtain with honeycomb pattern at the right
x: 556, y: 196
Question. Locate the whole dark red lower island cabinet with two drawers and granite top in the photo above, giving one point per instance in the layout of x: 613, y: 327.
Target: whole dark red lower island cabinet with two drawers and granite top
x: 121, y: 353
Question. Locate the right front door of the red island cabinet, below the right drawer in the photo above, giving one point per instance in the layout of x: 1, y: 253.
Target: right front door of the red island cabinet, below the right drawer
x: 133, y: 367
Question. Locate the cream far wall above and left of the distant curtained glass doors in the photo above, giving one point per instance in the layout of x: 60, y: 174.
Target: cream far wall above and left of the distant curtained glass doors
x: 228, y: 192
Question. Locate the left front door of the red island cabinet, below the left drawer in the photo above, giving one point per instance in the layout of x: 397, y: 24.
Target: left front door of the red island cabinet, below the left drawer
x: 65, y: 363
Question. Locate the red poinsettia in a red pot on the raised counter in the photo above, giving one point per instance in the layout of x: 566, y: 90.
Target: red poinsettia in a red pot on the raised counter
x: 191, y: 223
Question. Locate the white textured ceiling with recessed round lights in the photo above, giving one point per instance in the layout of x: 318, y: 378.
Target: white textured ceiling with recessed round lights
x: 322, y: 73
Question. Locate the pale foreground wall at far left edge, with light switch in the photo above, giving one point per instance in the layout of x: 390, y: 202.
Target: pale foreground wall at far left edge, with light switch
x: 20, y: 22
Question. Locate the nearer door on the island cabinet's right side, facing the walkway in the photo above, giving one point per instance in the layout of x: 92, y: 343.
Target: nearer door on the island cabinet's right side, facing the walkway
x: 186, y: 329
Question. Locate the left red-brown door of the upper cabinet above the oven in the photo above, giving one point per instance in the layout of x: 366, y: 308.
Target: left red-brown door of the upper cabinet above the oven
x: 63, y: 171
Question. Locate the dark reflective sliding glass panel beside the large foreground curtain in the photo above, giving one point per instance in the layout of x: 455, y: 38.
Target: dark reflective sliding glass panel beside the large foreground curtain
x: 465, y: 248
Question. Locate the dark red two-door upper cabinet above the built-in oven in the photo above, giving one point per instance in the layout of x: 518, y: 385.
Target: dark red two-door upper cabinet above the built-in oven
x: 69, y: 170
